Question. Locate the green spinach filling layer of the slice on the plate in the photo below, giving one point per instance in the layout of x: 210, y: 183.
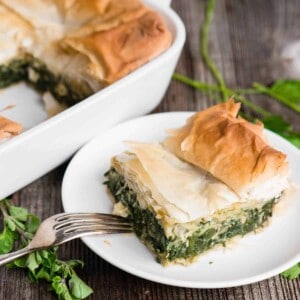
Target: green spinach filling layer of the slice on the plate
x: 198, y: 236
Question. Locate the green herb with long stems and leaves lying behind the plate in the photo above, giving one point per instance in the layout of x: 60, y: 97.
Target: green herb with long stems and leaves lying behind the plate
x: 286, y: 92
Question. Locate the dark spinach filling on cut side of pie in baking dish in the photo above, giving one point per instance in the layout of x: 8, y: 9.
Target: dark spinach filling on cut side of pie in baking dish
x: 36, y: 73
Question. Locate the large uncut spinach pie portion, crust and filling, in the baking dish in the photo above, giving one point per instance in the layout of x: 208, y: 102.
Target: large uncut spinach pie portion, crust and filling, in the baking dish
x: 75, y: 48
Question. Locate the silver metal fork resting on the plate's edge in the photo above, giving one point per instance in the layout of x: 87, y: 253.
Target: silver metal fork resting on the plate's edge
x: 64, y: 227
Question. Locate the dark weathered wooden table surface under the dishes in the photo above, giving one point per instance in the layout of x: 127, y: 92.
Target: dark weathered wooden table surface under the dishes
x: 246, y: 41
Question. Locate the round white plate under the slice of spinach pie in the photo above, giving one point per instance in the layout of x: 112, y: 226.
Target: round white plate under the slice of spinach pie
x: 252, y: 258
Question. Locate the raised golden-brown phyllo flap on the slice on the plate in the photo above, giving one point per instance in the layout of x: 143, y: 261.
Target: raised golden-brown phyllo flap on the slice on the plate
x: 231, y: 149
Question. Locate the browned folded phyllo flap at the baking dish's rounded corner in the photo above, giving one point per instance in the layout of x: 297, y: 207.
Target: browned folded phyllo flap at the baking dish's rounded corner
x: 116, y: 52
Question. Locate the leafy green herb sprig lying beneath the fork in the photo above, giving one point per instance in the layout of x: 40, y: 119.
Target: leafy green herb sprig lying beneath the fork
x: 19, y: 227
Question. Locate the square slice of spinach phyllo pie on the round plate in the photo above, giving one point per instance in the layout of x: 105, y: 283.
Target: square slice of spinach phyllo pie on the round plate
x: 214, y: 179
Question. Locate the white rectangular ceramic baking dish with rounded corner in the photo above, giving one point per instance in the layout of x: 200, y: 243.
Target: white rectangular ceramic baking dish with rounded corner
x: 44, y: 146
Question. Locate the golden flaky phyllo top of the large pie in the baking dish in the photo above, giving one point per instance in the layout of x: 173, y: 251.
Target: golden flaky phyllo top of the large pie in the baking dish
x: 99, y: 40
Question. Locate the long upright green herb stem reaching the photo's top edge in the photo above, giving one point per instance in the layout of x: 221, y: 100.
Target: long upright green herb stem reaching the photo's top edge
x: 209, y: 13
